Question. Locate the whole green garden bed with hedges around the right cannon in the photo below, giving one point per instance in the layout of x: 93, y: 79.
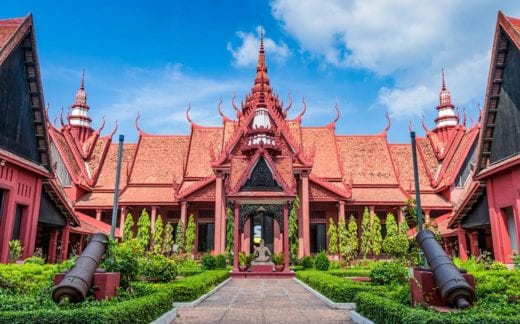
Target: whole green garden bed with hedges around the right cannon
x: 496, y: 303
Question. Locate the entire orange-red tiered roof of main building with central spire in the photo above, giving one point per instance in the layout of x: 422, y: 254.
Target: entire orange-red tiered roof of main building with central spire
x: 360, y: 169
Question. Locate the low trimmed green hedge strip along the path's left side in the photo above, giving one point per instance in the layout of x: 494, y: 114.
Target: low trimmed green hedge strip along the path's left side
x: 137, y: 310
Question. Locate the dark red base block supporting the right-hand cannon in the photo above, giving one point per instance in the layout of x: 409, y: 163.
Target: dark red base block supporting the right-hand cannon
x: 424, y: 290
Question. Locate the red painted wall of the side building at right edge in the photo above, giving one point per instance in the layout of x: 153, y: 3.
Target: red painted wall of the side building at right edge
x: 503, y: 191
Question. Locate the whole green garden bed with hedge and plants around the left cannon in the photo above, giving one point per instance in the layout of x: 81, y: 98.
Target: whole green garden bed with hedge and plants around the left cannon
x: 147, y: 302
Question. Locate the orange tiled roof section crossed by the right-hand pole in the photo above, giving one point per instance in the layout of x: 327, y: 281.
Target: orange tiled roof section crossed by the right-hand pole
x: 402, y: 156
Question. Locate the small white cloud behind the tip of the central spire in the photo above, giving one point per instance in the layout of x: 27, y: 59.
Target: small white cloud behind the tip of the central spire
x: 246, y: 54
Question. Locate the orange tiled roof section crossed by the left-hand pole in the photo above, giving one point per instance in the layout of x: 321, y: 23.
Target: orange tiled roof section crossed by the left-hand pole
x: 107, y: 174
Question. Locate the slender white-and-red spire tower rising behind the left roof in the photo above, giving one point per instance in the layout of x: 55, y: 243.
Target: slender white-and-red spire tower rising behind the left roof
x: 78, y: 118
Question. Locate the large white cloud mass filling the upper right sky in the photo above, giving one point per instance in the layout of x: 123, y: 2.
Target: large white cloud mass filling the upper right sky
x: 407, y: 40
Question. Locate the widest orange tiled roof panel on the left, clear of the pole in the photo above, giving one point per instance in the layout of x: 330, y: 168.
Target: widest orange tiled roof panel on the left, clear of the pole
x: 159, y: 159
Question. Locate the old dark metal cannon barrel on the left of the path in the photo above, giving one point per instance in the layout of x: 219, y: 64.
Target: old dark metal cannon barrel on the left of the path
x: 77, y: 281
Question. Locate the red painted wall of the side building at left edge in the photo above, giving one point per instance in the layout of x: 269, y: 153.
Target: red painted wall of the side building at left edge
x: 23, y: 188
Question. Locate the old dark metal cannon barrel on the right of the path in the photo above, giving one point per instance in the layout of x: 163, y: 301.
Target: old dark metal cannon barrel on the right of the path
x: 454, y: 289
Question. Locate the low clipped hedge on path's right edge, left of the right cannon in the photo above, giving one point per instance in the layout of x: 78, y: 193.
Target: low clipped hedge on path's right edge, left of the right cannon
x: 335, y: 288
